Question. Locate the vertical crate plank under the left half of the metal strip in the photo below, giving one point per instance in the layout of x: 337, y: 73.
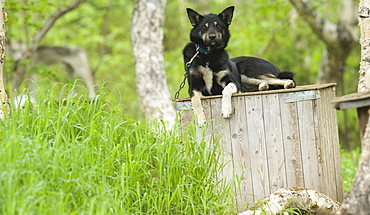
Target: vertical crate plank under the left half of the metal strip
x: 292, y: 146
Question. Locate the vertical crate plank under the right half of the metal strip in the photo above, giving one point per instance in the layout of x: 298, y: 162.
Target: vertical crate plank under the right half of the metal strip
x: 308, y: 145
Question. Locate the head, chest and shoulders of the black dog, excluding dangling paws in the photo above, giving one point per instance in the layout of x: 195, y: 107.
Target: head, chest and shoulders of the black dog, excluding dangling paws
x: 210, y: 36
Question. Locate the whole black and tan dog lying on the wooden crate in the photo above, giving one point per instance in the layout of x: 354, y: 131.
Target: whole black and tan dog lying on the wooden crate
x: 211, y: 72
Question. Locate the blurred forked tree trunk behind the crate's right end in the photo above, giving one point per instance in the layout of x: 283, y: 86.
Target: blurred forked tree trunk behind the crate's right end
x: 339, y: 39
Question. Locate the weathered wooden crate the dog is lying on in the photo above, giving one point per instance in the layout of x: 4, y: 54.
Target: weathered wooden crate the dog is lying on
x: 276, y: 139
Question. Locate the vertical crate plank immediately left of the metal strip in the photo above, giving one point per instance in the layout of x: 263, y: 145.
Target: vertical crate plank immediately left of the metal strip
x: 274, y: 141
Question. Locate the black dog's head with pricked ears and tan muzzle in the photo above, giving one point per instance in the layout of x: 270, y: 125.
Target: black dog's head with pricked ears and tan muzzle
x: 211, y: 31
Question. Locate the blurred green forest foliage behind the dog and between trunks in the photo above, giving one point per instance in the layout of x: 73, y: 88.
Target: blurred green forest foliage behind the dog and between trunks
x: 272, y: 30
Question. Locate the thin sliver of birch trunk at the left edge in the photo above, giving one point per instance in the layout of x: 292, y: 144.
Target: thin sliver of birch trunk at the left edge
x: 4, y: 108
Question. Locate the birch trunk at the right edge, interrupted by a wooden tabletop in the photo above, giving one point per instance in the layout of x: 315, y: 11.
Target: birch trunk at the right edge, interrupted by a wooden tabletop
x: 358, y: 200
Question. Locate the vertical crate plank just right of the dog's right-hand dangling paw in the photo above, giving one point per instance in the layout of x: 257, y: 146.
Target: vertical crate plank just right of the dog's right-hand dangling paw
x: 241, y: 157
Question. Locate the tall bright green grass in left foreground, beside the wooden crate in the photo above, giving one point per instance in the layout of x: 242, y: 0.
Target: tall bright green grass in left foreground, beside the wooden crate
x: 90, y: 158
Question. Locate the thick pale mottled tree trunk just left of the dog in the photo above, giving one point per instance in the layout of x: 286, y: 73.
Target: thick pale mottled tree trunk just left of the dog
x: 146, y: 39
